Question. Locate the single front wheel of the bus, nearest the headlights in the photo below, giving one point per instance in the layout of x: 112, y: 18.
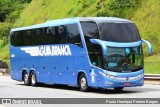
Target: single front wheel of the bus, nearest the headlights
x: 83, y: 83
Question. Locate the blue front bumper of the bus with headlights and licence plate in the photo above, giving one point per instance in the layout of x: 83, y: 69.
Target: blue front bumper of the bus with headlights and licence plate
x: 122, y: 81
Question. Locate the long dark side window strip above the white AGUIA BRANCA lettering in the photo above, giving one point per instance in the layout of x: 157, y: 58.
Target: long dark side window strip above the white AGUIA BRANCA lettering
x: 49, y: 35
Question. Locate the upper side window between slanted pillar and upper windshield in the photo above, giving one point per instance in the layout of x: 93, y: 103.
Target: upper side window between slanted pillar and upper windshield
x: 90, y: 30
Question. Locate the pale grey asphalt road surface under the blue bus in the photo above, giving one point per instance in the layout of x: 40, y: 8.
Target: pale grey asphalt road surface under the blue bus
x: 13, y: 89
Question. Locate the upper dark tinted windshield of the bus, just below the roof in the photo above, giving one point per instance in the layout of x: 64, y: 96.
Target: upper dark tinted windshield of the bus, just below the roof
x: 119, y: 32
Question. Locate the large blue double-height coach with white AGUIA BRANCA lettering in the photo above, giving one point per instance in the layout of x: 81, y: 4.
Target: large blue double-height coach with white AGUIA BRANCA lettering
x: 91, y: 52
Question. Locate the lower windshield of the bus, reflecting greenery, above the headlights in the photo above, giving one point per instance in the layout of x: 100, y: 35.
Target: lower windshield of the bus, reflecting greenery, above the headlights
x: 123, y: 59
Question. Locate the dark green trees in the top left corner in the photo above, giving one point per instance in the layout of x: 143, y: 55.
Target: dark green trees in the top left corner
x: 9, y: 11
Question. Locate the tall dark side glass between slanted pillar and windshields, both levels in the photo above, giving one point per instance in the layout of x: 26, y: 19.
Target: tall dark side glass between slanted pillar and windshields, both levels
x: 90, y: 31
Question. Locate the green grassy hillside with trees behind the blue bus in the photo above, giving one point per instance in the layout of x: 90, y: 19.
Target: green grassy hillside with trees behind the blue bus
x: 145, y: 13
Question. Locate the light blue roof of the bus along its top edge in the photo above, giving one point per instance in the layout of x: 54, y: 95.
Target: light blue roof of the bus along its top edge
x: 74, y: 20
